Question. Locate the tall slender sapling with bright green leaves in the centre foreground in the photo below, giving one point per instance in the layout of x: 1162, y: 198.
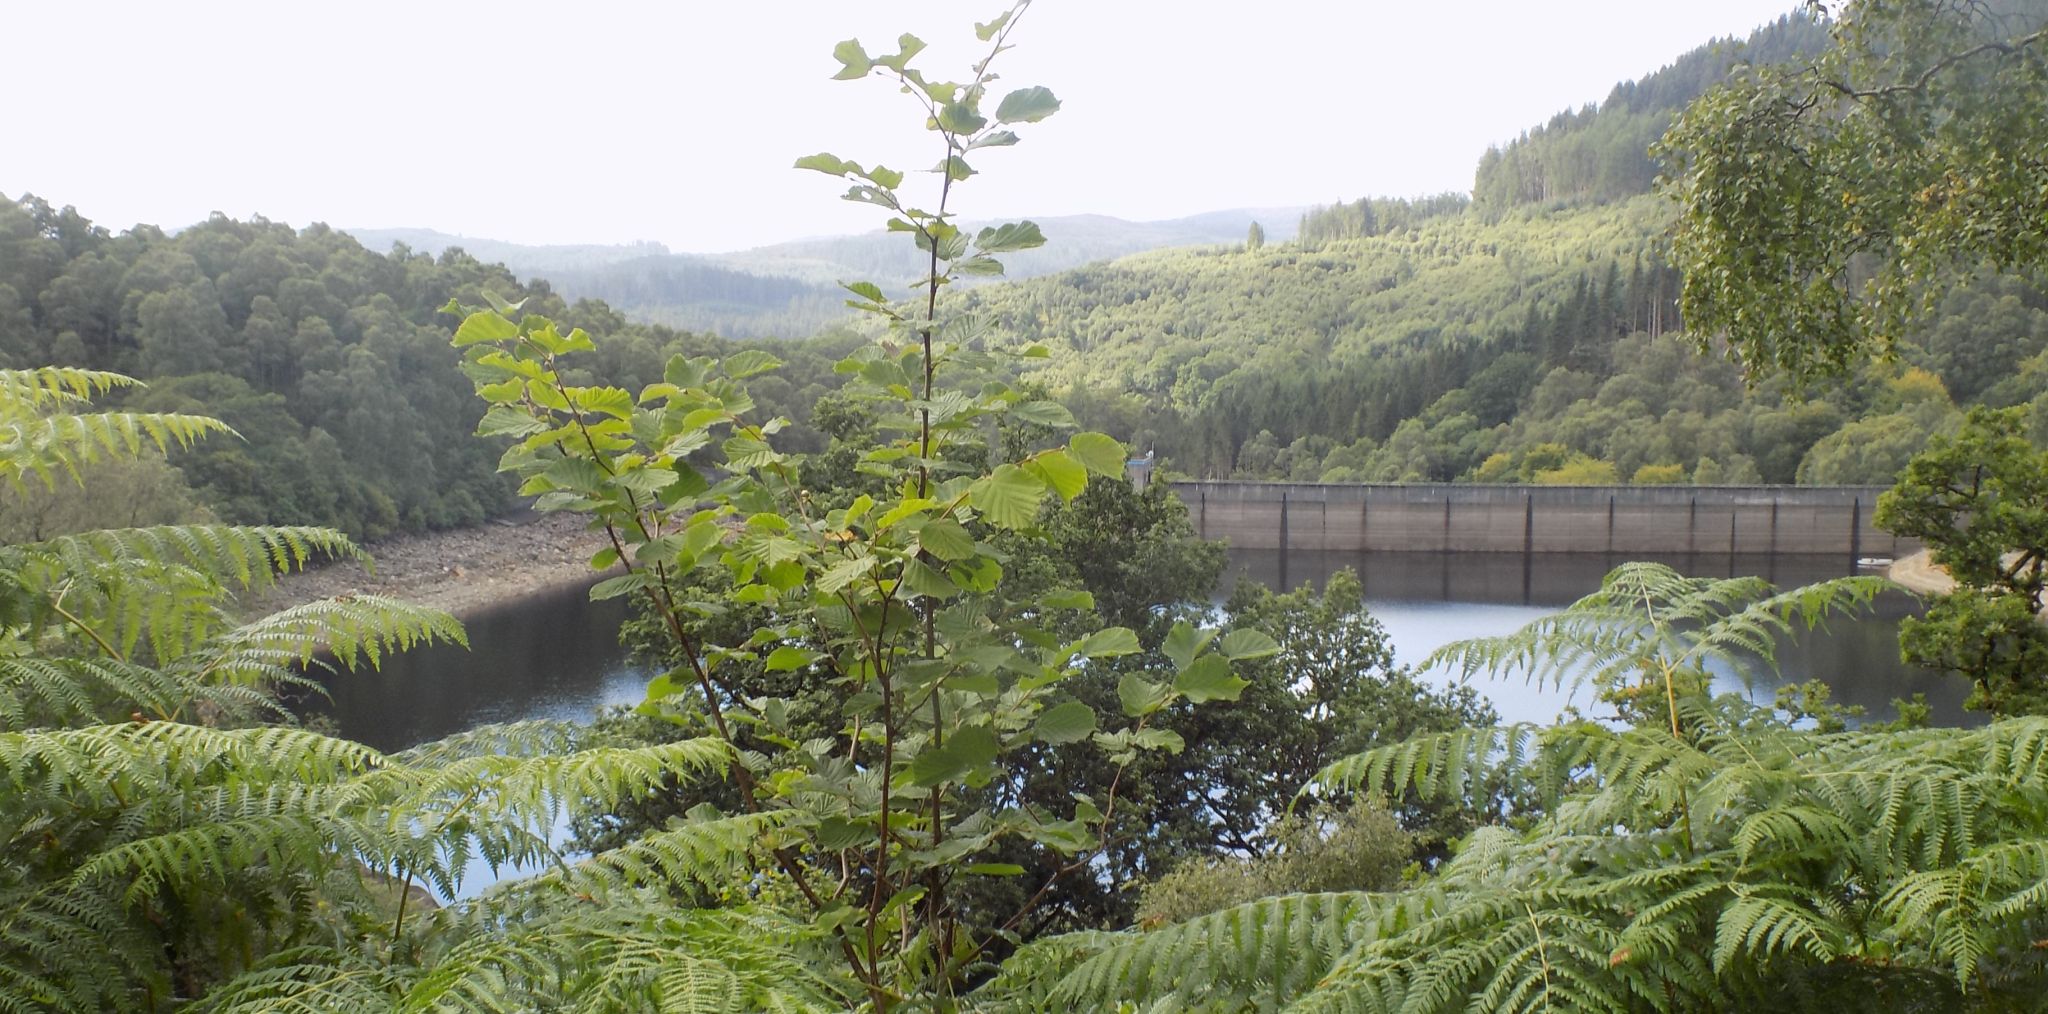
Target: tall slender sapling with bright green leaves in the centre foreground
x: 941, y: 689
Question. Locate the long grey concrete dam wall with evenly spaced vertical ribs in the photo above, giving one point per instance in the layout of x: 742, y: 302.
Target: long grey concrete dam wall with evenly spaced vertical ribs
x: 1543, y: 519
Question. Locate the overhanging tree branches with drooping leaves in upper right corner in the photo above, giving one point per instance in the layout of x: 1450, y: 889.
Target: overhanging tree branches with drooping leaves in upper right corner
x: 1912, y: 142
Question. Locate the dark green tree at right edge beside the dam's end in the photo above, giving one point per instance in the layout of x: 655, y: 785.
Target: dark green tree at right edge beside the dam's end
x: 1979, y: 501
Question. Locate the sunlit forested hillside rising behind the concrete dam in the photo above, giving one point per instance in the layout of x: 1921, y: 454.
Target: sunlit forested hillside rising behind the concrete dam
x: 1527, y: 335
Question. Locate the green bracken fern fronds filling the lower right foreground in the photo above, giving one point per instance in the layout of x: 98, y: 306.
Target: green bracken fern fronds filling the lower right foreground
x: 1717, y: 863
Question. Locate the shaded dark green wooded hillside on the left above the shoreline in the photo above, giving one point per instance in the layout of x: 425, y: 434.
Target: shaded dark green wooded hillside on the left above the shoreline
x: 331, y: 362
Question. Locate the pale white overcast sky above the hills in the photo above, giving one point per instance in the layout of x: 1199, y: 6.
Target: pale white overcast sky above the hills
x: 677, y: 122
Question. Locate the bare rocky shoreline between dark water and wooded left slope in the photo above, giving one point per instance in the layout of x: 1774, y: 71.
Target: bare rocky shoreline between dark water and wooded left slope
x: 462, y: 573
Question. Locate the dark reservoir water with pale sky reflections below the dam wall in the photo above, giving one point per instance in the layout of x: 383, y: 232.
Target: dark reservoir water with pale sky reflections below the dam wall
x: 556, y: 657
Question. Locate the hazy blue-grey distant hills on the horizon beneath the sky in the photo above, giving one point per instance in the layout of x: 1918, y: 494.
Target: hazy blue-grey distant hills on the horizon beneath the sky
x: 792, y: 290
